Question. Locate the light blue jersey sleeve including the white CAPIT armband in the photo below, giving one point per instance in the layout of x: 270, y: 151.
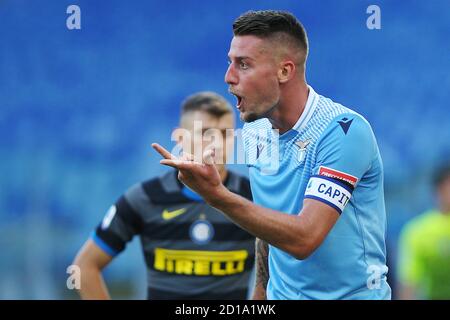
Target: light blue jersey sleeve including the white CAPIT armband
x: 344, y: 154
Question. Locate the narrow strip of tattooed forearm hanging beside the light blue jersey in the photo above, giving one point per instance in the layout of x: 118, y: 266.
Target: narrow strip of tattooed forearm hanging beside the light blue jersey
x: 262, y: 269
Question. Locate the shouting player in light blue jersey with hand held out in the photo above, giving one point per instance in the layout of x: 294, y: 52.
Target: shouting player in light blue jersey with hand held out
x: 316, y: 173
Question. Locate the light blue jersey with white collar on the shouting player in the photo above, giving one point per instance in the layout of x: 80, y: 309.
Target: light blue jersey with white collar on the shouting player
x: 330, y: 155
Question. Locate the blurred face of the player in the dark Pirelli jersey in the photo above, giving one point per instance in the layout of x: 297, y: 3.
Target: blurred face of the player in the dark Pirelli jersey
x: 206, y: 131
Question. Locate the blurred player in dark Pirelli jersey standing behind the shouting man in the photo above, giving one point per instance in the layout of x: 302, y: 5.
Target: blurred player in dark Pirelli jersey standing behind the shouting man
x: 191, y: 250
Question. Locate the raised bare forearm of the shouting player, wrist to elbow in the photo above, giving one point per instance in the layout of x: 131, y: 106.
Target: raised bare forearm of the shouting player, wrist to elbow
x: 287, y: 232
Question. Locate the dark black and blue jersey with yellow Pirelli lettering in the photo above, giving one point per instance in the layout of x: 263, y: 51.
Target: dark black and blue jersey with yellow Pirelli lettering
x: 192, y: 250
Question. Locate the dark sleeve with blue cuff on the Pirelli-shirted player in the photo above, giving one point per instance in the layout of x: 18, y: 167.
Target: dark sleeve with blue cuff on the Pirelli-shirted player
x: 120, y: 223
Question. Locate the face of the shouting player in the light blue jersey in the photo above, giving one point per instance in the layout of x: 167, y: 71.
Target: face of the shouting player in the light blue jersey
x: 252, y: 76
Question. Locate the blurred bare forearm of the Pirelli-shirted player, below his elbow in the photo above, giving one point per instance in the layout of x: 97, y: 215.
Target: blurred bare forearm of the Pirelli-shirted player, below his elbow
x: 92, y: 284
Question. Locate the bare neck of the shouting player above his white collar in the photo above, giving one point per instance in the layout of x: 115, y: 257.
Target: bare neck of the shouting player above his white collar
x: 290, y: 107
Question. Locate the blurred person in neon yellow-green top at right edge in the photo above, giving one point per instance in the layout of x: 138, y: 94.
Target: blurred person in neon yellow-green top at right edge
x: 424, y: 248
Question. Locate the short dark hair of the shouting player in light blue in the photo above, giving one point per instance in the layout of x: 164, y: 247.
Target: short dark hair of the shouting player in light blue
x: 269, y: 23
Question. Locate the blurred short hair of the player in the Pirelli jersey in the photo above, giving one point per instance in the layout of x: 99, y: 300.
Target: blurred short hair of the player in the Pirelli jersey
x: 208, y: 102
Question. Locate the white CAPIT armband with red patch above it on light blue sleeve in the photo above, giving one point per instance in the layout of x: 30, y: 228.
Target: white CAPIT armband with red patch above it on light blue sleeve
x: 334, y: 191
